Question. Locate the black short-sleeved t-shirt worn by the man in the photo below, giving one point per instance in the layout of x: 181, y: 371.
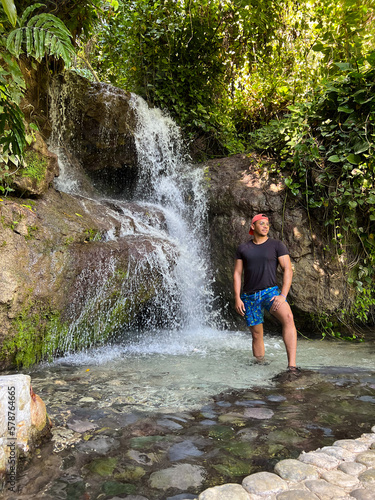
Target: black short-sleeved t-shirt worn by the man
x: 260, y: 263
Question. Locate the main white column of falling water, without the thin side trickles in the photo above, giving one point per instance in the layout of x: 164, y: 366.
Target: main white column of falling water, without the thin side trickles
x: 169, y: 181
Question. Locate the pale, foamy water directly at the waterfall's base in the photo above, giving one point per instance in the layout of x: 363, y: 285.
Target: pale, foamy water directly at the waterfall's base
x: 174, y: 371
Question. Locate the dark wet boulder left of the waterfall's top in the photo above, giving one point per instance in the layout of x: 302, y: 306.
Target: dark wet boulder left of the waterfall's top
x: 95, y: 122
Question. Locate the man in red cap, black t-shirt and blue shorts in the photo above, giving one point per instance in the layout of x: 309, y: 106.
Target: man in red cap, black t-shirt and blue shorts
x: 258, y: 259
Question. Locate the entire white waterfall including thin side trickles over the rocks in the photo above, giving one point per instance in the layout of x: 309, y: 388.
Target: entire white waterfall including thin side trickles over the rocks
x: 170, y: 190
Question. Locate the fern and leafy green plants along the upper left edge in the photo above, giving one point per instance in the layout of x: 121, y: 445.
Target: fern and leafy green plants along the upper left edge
x: 36, y: 34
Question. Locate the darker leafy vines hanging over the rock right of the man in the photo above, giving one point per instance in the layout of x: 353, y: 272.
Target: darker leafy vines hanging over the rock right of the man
x: 327, y: 143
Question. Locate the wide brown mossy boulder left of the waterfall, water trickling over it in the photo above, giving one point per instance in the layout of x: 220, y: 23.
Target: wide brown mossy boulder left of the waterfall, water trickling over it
x: 74, y: 273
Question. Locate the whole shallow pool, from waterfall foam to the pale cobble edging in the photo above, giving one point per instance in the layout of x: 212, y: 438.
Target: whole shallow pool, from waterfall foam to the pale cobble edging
x: 126, y: 412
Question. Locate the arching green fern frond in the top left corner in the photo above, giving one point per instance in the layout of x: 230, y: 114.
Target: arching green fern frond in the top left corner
x: 40, y: 35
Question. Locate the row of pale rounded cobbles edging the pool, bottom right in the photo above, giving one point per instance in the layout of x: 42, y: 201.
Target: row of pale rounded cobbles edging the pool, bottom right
x: 328, y: 473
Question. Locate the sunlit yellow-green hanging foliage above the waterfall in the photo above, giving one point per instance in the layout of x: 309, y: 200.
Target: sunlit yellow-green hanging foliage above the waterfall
x: 222, y: 67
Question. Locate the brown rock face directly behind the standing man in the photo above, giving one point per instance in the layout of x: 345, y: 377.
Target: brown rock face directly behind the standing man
x: 240, y: 187
